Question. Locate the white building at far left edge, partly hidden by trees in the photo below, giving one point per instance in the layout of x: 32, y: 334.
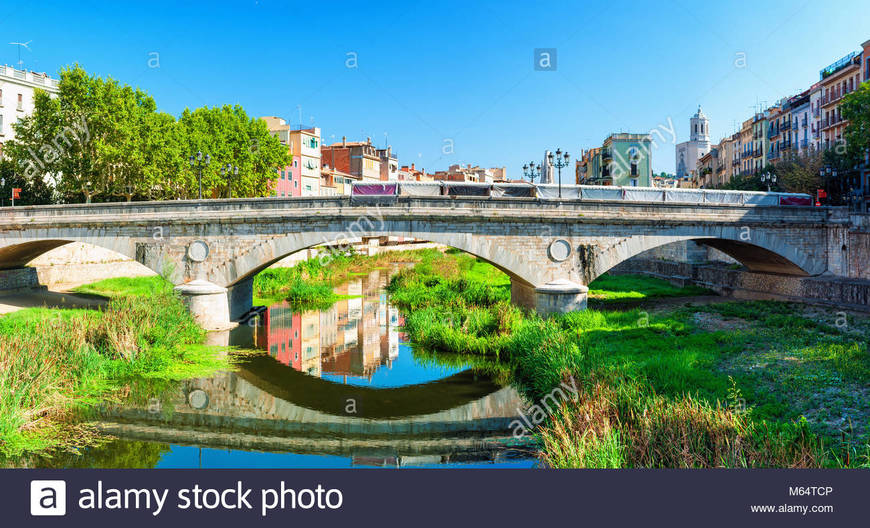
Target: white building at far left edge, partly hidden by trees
x: 16, y: 97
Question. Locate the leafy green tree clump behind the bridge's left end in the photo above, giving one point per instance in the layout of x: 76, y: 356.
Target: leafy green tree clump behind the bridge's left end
x: 102, y: 140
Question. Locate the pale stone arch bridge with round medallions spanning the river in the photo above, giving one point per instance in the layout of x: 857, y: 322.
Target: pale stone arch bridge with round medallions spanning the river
x: 551, y: 250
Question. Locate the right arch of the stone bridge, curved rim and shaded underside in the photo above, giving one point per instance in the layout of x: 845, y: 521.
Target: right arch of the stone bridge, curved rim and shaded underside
x: 757, y: 250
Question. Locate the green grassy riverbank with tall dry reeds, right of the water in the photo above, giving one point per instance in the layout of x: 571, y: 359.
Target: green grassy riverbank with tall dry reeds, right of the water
x: 755, y: 384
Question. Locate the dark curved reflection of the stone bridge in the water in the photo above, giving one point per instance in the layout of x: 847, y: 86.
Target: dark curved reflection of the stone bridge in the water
x: 268, y: 406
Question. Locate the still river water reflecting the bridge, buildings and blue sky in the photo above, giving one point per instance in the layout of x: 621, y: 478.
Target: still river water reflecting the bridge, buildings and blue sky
x: 340, y: 387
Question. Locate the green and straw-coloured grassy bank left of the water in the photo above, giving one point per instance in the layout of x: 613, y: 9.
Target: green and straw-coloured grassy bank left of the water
x: 54, y: 363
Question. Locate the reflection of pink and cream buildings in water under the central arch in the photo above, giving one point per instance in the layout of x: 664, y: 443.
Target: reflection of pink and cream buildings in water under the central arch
x: 352, y: 338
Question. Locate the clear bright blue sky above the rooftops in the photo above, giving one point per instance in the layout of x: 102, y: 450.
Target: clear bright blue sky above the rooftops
x: 462, y: 71
